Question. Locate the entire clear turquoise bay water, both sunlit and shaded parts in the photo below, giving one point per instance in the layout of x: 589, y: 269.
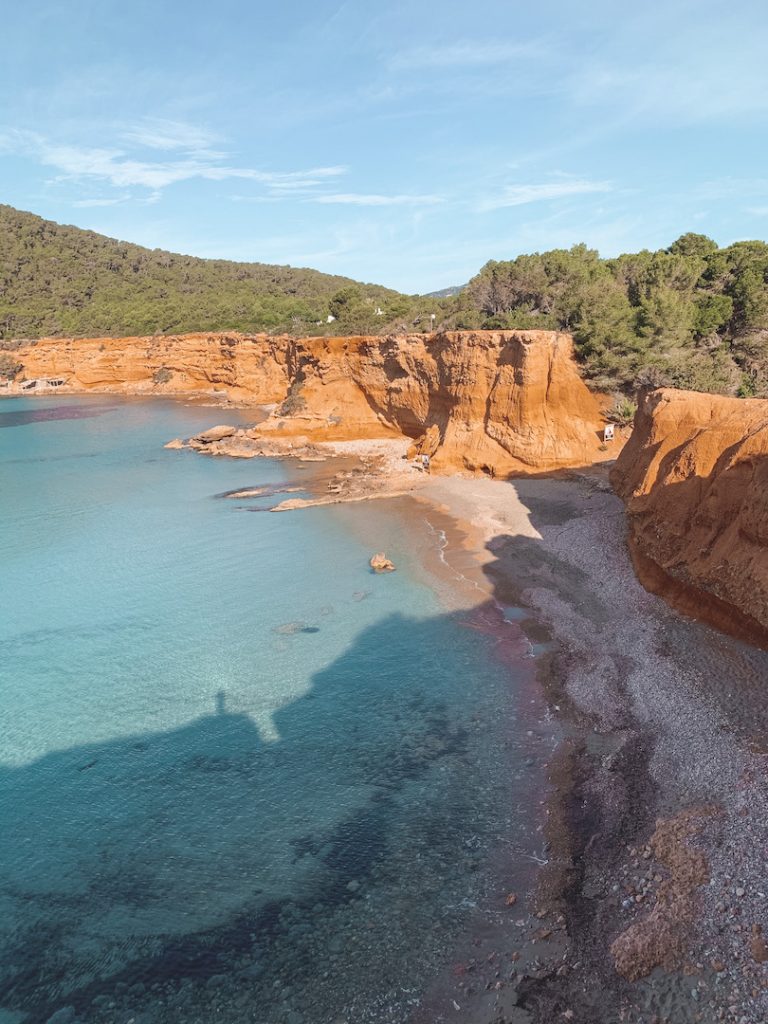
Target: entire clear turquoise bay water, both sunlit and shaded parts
x: 240, y: 776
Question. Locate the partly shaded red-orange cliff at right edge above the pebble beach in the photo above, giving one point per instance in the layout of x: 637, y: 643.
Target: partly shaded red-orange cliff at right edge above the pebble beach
x: 695, y: 478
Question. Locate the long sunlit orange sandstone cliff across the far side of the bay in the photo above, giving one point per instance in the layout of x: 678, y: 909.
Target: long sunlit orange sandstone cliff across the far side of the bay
x: 498, y: 402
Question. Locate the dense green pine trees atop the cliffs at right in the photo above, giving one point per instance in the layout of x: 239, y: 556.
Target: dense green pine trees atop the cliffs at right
x: 693, y: 316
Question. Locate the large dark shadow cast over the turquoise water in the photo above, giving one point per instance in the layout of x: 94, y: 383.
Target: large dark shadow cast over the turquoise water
x: 207, y: 859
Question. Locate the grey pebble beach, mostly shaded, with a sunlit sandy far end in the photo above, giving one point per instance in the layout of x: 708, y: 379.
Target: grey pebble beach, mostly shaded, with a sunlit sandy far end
x: 659, y: 819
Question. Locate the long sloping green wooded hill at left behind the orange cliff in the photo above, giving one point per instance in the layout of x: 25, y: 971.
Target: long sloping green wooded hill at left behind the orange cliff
x: 58, y: 280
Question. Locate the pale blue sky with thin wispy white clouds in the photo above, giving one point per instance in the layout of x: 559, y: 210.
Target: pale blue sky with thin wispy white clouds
x: 406, y: 144
